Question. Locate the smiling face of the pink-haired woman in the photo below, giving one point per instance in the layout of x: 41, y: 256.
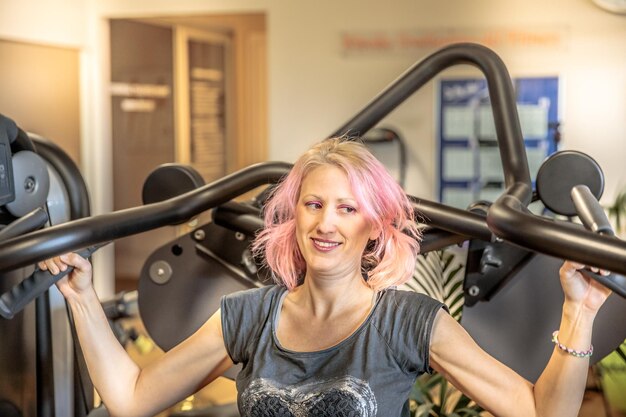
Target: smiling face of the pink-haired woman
x: 331, y: 230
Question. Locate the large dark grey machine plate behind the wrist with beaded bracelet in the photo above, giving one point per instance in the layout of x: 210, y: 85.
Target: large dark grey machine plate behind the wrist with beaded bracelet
x: 516, y: 324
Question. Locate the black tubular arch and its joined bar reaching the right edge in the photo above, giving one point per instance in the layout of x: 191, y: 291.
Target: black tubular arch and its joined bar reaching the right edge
x: 508, y: 218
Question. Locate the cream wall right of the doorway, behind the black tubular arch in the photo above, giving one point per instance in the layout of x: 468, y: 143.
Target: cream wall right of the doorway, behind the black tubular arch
x: 314, y: 89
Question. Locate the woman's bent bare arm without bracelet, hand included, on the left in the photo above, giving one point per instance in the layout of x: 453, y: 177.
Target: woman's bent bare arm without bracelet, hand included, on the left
x: 126, y: 389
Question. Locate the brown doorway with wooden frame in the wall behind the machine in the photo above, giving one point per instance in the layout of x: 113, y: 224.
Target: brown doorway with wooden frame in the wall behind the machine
x: 185, y: 89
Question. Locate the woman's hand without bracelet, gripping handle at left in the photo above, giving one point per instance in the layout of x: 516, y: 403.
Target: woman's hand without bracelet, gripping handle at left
x: 76, y: 282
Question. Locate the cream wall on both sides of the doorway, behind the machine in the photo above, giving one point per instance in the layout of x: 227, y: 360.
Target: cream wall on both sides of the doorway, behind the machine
x: 314, y: 88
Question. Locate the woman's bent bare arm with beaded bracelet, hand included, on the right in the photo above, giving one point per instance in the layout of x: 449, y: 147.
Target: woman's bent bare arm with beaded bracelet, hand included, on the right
x: 560, y: 388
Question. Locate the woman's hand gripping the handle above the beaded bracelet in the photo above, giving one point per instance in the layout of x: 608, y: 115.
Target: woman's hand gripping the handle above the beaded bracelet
x: 579, y: 288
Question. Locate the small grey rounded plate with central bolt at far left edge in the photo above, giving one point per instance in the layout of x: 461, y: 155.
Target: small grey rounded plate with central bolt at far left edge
x: 32, y: 183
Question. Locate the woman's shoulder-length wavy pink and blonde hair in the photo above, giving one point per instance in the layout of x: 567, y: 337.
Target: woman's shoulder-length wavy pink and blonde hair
x: 388, y: 261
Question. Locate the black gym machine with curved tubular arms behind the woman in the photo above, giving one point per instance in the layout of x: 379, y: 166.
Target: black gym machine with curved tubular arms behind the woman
x: 190, y: 274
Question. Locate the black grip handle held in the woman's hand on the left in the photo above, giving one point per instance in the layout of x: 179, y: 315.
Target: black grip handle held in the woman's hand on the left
x: 15, y: 299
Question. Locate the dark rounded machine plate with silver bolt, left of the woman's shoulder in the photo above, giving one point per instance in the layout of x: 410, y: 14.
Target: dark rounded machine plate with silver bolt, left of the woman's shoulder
x: 174, y: 308
